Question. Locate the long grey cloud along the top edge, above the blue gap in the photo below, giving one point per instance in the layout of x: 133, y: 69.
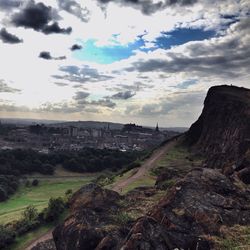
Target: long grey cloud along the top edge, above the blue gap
x: 149, y: 6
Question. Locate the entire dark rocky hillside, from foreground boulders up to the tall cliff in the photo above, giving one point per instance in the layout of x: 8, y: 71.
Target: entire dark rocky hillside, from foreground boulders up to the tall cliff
x: 201, y: 210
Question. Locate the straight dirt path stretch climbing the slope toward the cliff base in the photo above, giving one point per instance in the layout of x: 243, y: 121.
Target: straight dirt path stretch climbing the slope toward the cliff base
x: 146, y: 166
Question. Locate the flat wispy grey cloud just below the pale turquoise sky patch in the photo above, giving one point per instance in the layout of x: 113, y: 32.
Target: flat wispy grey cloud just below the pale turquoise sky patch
x: 81, y: 75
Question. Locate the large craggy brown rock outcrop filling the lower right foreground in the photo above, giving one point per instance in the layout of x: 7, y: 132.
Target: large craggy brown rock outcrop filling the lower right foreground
x: 194, y: 208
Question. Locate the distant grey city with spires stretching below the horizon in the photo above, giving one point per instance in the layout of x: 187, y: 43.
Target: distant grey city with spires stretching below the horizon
x: 74, y: 136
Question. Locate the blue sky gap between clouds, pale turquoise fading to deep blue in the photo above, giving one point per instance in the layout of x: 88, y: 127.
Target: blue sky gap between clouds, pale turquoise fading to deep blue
x: 108, y: 54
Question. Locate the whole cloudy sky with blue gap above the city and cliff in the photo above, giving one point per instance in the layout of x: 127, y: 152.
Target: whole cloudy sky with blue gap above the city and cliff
x: 139, y: 61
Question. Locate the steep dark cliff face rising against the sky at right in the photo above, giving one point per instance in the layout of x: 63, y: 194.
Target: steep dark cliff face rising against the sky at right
x: 222, y: 132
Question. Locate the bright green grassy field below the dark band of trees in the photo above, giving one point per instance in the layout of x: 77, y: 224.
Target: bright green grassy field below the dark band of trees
x: 39, y: 196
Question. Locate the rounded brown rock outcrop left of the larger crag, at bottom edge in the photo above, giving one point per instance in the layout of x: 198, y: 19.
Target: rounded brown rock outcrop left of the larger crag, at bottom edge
x: 89, y: 224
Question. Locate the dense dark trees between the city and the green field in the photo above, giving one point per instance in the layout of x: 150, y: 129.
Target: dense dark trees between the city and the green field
x: 14, y: 163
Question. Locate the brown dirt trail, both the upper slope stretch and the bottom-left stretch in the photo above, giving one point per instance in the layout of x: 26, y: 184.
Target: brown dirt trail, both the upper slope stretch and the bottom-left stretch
x: 120, y: 185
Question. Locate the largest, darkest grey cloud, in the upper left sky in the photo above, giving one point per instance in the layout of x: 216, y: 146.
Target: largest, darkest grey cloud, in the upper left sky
x: 38, y: 16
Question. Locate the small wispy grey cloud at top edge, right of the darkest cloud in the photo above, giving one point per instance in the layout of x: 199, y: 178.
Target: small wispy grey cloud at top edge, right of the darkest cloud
x: 75, y: 9
